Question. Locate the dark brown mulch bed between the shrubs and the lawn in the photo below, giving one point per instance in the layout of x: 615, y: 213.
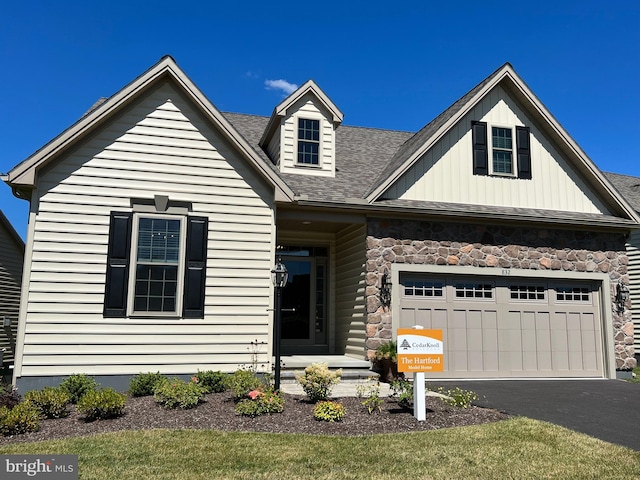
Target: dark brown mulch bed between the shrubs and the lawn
x: 217, y: 413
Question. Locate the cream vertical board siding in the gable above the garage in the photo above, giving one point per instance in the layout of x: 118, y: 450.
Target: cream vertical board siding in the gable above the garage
x: 445, y: 172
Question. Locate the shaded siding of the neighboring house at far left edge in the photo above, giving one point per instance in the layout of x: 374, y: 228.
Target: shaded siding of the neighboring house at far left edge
x: 11, y: 262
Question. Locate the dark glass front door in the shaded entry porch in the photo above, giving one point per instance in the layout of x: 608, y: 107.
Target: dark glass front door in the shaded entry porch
x: 304, y: 304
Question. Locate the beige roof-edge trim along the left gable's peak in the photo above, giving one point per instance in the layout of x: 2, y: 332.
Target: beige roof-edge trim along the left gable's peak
x: 22, y: 176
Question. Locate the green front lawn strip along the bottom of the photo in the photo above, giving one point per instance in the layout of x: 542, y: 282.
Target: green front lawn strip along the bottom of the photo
x: 515, y: 448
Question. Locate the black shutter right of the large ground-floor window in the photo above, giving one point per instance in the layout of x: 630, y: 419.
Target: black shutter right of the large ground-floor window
x: 196, y: 267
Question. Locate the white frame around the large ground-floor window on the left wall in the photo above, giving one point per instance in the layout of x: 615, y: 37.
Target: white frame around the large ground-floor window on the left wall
x: 134, y: 263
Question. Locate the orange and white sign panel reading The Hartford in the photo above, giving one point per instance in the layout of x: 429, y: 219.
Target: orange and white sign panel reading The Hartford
x: 420, y: 350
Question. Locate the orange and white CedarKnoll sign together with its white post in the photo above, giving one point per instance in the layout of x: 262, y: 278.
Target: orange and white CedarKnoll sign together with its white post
x: 420, y: 351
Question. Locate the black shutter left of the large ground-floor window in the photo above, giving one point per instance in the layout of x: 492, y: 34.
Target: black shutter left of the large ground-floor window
x: 117, y: 281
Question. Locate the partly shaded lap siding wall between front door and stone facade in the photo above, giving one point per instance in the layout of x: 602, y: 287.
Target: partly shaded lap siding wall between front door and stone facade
x: 350, y: 291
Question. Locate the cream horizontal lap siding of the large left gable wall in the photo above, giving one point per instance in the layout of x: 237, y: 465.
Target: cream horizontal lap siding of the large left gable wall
x: 159, y: 145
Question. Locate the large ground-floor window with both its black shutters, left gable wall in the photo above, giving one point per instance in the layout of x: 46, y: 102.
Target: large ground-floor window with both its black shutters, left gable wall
x: 156, y: 265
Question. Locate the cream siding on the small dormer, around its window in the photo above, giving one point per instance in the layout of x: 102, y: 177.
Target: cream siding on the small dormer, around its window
x: 306, y: 108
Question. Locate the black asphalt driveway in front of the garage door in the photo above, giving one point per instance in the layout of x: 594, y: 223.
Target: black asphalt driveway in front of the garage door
x: 605, y: 409
